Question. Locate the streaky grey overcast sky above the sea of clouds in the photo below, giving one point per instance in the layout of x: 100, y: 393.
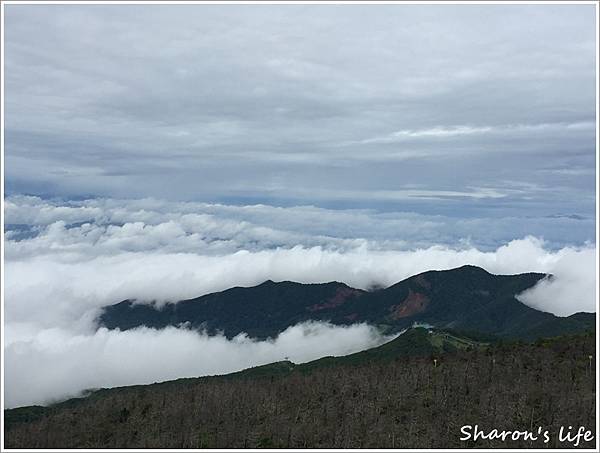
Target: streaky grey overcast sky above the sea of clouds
x: 463, y: 110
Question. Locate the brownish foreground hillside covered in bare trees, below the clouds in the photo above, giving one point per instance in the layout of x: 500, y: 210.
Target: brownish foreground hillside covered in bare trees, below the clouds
x: 383, y: 399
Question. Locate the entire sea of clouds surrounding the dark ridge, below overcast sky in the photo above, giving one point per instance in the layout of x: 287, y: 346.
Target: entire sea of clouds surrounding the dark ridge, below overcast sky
x: 66, y: 260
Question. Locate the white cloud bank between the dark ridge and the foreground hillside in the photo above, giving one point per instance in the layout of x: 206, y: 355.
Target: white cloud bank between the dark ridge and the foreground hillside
x: 56, y: 364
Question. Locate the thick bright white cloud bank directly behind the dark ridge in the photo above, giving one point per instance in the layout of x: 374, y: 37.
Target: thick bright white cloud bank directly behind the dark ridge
x: 66, y: 290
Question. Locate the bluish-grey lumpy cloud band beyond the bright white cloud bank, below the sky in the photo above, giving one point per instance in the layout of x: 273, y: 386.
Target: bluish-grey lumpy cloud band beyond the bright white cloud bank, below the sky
x: 99, y: 227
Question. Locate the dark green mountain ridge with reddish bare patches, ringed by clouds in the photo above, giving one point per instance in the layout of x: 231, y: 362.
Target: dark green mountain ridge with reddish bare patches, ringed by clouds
x: 465, y: 298
